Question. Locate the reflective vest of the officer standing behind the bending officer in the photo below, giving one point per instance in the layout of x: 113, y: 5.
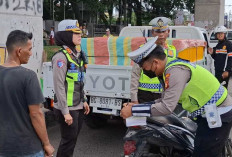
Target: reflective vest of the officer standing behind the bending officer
x: 153, y: 84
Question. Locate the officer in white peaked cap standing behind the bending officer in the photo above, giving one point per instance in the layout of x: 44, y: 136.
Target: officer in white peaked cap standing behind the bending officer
x: 145, y: 86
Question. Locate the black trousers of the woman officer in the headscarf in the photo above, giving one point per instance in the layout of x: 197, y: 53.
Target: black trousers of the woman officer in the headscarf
x: 69, y: 133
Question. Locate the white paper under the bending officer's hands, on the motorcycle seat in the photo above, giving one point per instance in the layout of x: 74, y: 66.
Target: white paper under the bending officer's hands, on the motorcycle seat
x: 135, y: 121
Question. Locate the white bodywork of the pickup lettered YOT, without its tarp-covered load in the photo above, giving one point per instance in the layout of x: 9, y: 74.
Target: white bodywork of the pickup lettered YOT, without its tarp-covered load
x: 108, y: 86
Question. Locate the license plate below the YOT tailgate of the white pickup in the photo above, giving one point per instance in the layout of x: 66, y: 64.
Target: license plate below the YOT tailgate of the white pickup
x: 102, y: 102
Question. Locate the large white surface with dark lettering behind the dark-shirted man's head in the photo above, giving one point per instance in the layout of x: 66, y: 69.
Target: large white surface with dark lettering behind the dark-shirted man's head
x: 26, y: 16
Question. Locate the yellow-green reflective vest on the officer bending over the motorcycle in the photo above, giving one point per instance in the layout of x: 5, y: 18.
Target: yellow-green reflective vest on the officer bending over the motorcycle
x: 202, y: 89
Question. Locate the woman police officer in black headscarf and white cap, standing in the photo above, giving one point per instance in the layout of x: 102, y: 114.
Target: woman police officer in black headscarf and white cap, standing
x: 68, y: 73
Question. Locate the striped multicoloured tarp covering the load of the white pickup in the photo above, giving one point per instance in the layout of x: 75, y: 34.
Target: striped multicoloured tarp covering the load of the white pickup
x: 113, y: 50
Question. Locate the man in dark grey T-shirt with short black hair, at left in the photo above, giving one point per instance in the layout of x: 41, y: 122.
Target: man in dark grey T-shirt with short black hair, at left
x: 22, y: 125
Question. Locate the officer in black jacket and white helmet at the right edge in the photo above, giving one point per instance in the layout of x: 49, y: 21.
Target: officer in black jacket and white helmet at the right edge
x: 222, y: 55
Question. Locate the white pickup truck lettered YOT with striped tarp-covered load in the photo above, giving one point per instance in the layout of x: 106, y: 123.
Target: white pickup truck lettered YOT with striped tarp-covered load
x: 107, y: 80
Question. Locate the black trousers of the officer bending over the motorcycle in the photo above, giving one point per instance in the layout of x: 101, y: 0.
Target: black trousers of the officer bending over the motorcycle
x: 210, y: 142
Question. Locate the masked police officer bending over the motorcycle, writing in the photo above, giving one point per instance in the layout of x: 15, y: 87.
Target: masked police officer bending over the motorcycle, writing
x: 192, y: 86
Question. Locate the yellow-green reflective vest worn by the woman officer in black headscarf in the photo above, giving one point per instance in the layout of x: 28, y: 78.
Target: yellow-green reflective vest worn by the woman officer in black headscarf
x: 74, y: 75
